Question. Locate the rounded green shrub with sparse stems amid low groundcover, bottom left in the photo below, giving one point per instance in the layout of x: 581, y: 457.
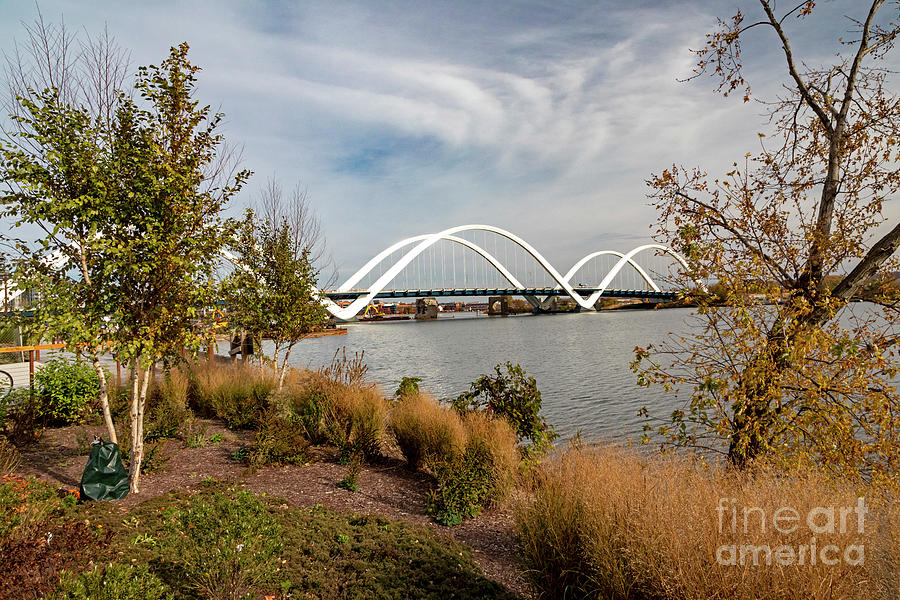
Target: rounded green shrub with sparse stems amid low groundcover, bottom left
x: 225, y: 545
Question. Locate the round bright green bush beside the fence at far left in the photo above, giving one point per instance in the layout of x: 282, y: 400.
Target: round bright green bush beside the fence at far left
x: 65, y: 390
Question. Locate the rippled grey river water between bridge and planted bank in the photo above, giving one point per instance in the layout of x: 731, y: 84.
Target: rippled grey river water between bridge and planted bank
x: 580, y: 361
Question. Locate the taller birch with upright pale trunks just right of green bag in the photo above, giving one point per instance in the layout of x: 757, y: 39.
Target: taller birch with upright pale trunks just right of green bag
x: 169, y: 228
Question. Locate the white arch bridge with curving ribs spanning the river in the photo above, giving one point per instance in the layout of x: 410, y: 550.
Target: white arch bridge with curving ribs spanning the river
x: 429, y: 265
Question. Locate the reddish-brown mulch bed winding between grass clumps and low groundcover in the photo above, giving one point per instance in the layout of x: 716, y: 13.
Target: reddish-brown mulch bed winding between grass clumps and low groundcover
x: 389, y: 489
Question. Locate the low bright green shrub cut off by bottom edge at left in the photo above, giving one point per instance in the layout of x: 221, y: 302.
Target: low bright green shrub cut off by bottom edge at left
x: 113, y: 582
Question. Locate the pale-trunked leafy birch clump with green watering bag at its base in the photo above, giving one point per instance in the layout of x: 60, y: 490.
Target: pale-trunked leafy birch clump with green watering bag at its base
x: 131, y: 208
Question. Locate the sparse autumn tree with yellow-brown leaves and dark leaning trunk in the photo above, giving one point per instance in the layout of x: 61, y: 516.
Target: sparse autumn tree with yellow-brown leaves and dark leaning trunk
x: 786, y: 368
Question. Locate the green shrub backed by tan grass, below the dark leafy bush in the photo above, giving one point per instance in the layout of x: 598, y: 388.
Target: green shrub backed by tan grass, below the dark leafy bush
x: 482, y: 473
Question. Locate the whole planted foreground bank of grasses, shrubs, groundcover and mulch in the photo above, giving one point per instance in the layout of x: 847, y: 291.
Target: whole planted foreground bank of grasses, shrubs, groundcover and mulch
x: 301, y: 469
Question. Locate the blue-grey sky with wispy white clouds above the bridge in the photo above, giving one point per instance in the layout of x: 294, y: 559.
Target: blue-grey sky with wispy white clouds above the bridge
x: 402, y: 118
